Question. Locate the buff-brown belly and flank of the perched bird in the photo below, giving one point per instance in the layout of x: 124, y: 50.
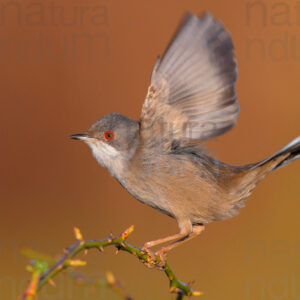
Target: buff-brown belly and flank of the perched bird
x: 184, y: 194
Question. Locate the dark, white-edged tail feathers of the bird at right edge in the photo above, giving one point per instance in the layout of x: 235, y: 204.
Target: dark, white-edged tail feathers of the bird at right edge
x: 283, y: 157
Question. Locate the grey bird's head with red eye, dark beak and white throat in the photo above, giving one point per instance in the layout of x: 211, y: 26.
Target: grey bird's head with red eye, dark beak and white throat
x: 113, y: 140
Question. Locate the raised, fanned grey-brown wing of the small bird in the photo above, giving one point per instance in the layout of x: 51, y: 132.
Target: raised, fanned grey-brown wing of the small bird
x: 192, y: 93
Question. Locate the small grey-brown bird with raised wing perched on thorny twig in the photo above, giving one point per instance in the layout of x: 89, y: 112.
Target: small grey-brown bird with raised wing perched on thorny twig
x: 160, y: 159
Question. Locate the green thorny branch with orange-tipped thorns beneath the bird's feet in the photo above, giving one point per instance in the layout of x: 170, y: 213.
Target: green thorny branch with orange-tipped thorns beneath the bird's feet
x: 43, y: 274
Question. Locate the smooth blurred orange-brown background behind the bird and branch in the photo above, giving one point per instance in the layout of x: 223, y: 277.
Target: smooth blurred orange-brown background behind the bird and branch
x: 65, y: 64
